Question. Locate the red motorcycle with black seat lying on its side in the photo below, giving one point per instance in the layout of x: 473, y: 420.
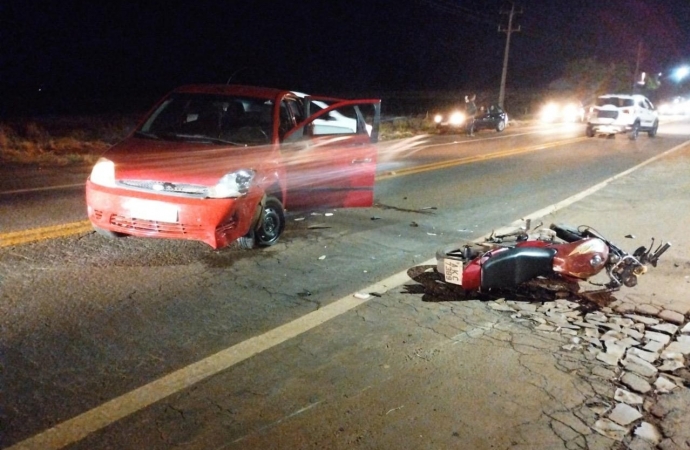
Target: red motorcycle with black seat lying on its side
x: 545, y: 264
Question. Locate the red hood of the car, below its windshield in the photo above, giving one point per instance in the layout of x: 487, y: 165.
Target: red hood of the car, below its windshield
x: 193, y: 163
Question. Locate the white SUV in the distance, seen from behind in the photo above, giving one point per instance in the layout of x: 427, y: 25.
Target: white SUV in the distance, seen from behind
x: 620, y: 113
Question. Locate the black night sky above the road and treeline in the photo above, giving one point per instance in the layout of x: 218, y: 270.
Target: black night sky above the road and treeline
x: 84, y: 49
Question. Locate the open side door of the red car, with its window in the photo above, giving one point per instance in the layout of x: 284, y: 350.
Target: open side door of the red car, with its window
x: 330, y: 157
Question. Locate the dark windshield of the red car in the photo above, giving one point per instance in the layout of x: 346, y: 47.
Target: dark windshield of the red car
x: 212, y: 119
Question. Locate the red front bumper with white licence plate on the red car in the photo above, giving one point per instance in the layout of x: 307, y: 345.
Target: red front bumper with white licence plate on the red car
x: 217, y: 222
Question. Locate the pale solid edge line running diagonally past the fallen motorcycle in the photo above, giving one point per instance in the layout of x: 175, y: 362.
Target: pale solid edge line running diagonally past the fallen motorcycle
x: 100, y: 417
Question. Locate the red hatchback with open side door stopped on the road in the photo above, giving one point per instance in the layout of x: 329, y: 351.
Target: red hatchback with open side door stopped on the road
x: 218, y: 163
